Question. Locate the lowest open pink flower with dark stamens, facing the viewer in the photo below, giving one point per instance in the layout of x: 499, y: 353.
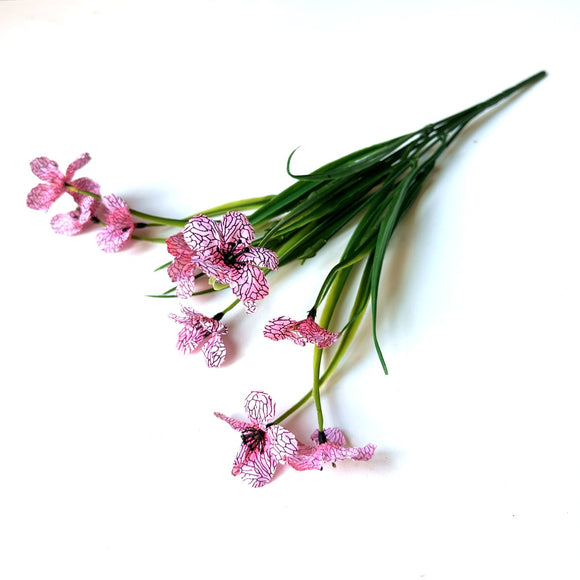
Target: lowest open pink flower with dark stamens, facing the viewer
x: 263, y: 445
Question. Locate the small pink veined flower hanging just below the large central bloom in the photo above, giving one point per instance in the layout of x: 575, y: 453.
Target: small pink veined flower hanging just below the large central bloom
x: 199, y: 330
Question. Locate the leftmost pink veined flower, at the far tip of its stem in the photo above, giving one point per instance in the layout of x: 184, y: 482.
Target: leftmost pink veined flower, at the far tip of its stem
x: 45, y: 194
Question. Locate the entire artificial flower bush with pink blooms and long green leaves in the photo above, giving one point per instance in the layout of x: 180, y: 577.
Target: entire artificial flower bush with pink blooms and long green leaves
x: 234, y: 247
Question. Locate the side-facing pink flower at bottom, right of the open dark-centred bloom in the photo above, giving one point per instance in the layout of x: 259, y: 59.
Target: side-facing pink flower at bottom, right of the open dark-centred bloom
x: 329, y: 446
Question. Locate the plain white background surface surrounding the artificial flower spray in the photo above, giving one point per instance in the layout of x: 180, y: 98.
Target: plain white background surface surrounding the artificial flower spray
x: 112, y: 464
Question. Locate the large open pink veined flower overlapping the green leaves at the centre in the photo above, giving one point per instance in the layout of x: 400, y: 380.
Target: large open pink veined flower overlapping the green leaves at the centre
x: 223, y: 251
